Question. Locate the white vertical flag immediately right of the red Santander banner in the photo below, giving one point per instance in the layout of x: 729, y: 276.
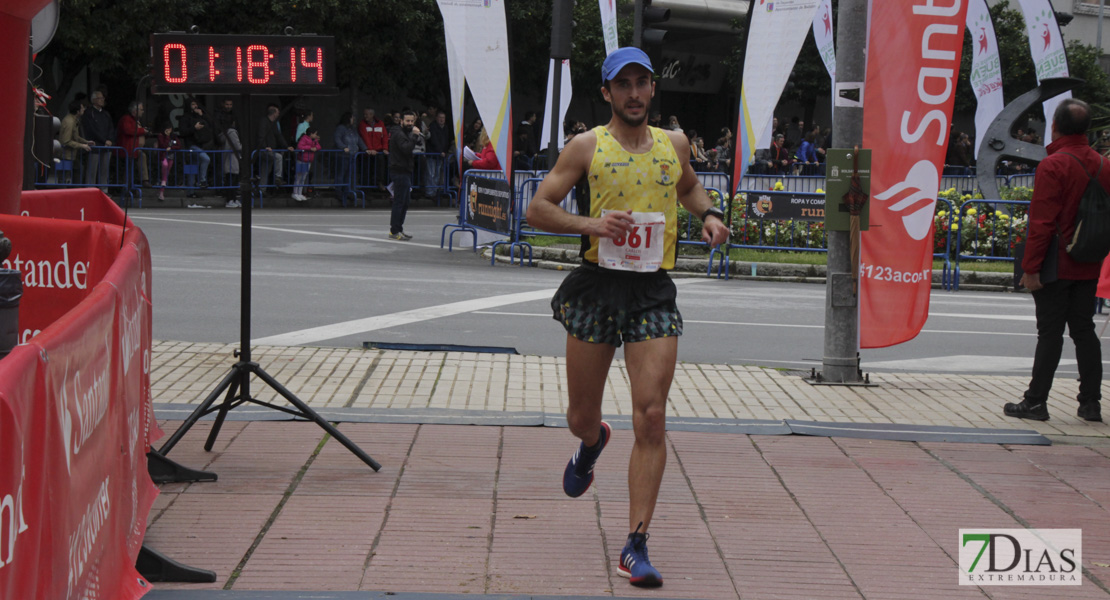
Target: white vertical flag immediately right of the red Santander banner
x: 986, y: 70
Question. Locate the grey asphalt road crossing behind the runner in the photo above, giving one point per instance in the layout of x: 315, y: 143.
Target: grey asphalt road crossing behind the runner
x: 332, y: 278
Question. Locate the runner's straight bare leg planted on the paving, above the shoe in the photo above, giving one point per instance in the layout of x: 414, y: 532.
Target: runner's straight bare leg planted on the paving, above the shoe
x: 651, y: 370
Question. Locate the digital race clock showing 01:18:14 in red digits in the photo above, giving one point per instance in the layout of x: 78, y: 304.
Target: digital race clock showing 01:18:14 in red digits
x: 214, y: 64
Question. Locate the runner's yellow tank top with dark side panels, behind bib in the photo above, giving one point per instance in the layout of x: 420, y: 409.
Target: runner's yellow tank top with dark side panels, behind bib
x: 620, y: 180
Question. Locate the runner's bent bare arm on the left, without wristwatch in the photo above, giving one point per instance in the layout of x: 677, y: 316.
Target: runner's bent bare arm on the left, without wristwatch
x: 544, y: 211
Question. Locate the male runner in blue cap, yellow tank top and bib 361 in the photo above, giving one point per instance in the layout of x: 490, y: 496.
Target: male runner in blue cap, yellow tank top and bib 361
x: 630, y: 179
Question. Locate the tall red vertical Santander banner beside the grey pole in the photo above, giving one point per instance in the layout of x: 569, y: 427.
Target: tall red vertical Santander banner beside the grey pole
x: 907, y: 111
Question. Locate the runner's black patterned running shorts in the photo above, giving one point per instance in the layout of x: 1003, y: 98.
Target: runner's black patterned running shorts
x: 603, y: 307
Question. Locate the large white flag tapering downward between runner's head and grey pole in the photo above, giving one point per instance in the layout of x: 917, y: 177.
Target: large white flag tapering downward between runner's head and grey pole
x: 779, y: 30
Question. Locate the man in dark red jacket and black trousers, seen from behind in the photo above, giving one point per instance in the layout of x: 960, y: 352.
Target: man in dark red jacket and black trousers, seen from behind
x: 1069, y: 299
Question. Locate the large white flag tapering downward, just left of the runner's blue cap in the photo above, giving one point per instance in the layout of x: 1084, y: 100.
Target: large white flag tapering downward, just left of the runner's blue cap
x: 478, y: 32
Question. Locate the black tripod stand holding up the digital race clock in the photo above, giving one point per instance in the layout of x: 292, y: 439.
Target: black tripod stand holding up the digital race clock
x: 236, y: 387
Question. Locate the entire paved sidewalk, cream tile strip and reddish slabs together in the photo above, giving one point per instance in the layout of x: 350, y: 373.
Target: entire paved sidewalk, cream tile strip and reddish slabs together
x: 480, y: 511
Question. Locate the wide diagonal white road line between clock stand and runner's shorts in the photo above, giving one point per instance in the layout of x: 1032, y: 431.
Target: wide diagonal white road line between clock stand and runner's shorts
x: 405, y: 318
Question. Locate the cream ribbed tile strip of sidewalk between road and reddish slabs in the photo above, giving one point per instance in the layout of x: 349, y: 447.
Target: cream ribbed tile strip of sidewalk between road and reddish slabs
x: 356, y: 379
